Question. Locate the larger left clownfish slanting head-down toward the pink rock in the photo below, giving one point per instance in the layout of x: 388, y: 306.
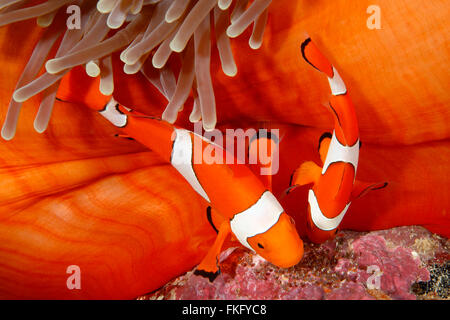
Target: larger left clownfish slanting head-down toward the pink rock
x: 243, y: 205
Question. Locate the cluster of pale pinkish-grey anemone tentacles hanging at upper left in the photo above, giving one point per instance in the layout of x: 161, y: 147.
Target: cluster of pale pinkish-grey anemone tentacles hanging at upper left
x: 148, y: 32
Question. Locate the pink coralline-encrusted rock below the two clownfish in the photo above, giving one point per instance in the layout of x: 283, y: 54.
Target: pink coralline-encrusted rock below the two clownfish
x: 400, y: 263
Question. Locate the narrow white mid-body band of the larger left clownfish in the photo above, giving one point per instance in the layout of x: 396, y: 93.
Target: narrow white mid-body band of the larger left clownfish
x: 181, y: 160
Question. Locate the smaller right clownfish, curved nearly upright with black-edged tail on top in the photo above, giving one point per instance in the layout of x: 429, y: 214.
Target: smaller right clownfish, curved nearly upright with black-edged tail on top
x: 334, y: 185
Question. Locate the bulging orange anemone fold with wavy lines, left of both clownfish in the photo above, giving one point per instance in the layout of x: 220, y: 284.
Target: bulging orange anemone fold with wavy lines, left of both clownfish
x: 76, y: 195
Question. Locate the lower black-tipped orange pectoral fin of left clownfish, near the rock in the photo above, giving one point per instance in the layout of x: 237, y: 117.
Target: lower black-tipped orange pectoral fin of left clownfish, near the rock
x: 209, y: 267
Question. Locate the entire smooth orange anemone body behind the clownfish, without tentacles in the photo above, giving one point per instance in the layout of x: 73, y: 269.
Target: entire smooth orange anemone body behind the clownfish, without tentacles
x: 77, y: 193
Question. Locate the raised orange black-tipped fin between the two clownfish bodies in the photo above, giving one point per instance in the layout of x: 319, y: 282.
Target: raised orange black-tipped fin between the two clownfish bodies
x: 262, y: 149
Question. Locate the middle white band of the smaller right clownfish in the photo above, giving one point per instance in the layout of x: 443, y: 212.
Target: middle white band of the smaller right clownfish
x: 339, y: 153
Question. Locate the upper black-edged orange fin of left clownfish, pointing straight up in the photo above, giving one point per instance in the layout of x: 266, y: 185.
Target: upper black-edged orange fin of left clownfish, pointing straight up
x: 269, y: 141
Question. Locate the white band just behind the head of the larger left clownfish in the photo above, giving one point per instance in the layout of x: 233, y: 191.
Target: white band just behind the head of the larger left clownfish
x: 257, y: 219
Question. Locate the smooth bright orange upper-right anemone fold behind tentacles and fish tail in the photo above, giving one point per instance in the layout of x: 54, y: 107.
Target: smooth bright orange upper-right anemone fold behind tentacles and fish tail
x: 397, y: 74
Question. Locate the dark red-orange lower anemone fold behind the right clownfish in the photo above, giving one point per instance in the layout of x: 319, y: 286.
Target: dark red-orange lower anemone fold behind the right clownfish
x: 406, y: 199
